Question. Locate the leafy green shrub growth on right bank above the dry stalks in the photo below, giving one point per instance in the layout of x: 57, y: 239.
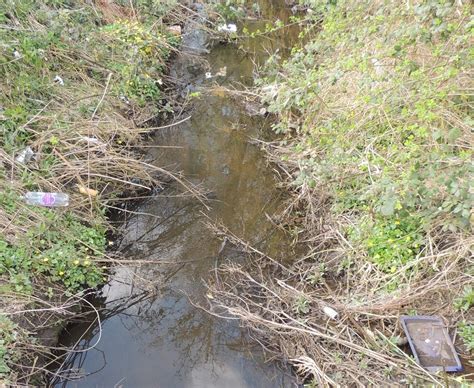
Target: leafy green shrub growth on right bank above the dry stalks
x: 383, y: 131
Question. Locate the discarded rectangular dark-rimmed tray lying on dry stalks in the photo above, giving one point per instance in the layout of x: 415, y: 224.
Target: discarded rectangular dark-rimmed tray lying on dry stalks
x: 430, y: 343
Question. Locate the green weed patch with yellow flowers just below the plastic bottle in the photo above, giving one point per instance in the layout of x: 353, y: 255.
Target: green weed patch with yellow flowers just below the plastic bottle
x: 59, y: 247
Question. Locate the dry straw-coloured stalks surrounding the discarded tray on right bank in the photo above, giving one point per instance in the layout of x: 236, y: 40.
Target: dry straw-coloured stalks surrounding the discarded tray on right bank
x: 362, y: 345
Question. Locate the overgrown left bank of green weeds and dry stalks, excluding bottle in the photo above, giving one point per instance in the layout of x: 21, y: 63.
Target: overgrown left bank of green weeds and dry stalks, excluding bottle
x: 82, y: 84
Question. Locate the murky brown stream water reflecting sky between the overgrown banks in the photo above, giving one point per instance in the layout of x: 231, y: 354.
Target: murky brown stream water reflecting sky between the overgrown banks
x: 150, y: 334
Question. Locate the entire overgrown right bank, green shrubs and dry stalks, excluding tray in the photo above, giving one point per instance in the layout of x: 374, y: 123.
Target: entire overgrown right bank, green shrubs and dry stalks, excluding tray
x: 375, y: 110
